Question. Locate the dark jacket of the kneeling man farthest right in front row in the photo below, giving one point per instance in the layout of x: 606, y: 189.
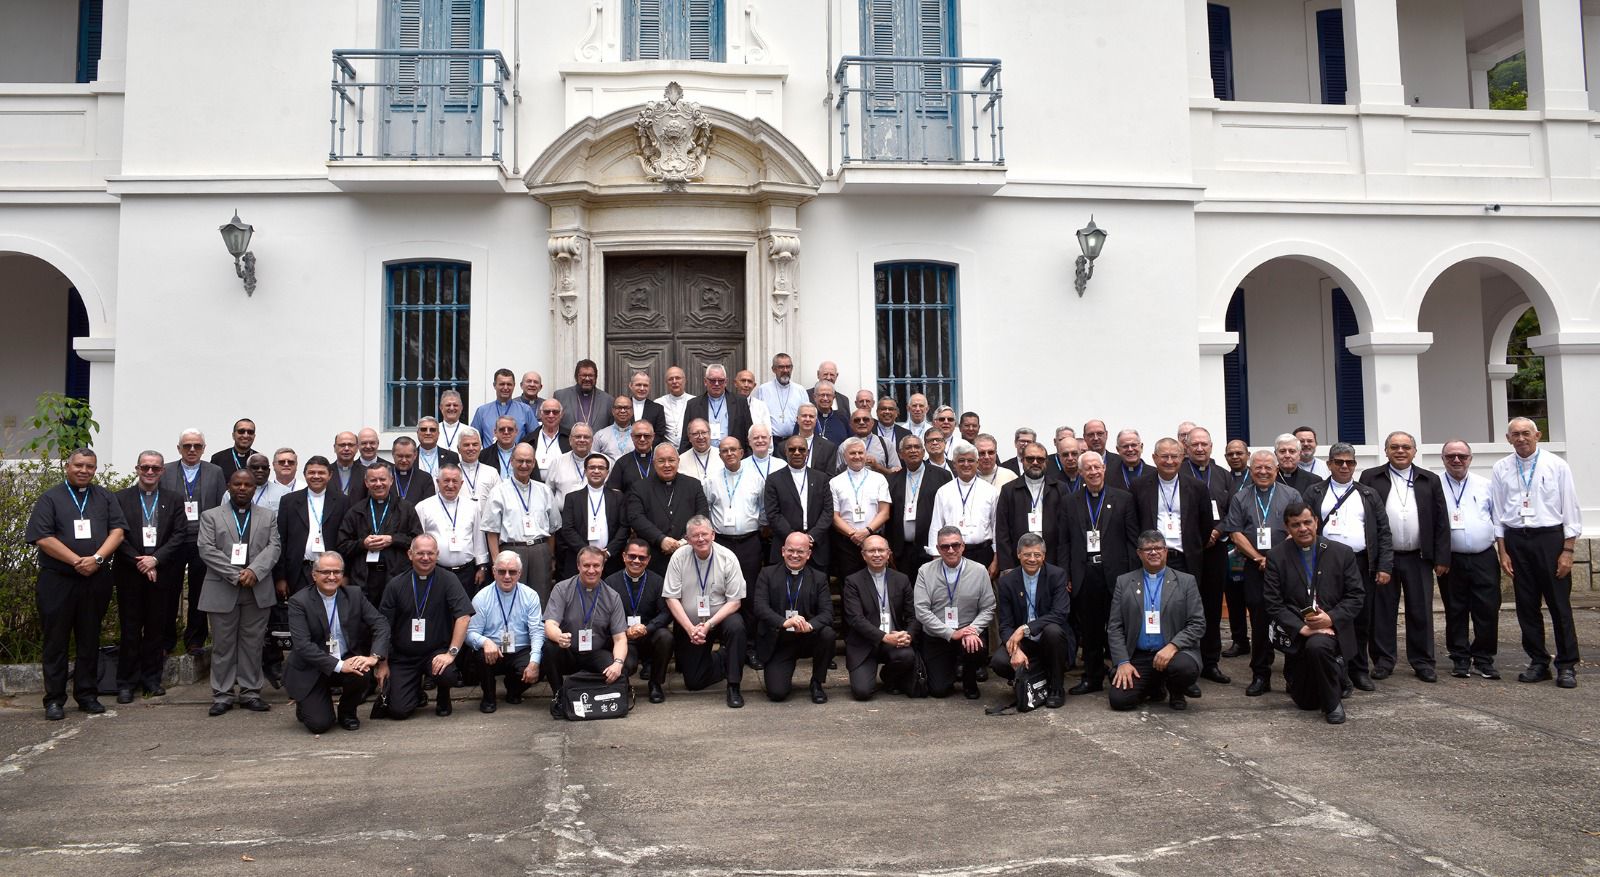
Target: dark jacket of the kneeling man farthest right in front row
x: 1340, y: 590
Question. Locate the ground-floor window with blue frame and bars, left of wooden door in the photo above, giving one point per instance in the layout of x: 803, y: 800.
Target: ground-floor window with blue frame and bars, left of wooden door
x: 426, y: 326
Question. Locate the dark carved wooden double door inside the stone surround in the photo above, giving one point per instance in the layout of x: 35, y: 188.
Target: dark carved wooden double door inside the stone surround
x: 673, y: 310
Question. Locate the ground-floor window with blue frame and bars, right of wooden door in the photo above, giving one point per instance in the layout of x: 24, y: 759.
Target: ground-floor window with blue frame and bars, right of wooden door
x: 914, y: 306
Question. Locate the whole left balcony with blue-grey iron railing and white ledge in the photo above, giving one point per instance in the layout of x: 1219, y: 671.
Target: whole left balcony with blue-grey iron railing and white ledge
x: 407, y: 119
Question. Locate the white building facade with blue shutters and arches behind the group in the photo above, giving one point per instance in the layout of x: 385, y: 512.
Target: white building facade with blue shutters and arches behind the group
x: 1313, y: 215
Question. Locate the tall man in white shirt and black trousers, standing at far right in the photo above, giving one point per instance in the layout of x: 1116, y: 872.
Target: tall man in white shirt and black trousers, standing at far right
x: 1537, y: 524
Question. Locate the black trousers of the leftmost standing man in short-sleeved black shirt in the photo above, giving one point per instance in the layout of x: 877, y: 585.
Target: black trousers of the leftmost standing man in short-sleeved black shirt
x: 78, y: 604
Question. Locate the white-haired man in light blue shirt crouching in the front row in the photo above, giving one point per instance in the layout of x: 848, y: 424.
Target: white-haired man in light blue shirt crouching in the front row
x: 508, y: 633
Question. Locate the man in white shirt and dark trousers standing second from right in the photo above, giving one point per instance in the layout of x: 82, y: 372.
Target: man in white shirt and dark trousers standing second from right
x: 1471, y: 588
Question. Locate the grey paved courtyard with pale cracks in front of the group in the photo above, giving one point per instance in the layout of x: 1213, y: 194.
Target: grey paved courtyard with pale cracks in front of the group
x: 1462, y: 779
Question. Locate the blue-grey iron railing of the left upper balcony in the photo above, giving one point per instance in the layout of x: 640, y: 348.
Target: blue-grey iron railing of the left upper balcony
x: 414, y: 106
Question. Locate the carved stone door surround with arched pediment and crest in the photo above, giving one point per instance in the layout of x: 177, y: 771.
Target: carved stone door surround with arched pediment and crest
x: 714, y: 183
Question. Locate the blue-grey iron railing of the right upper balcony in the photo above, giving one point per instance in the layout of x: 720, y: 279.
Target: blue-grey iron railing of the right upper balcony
x: 932, y: 111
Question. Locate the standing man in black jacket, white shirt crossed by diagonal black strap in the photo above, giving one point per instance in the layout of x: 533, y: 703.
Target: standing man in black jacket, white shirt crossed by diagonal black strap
x: 1359, y: 524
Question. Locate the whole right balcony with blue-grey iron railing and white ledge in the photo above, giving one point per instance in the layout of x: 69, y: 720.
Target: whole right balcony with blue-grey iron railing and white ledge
x: 919, y: 122
